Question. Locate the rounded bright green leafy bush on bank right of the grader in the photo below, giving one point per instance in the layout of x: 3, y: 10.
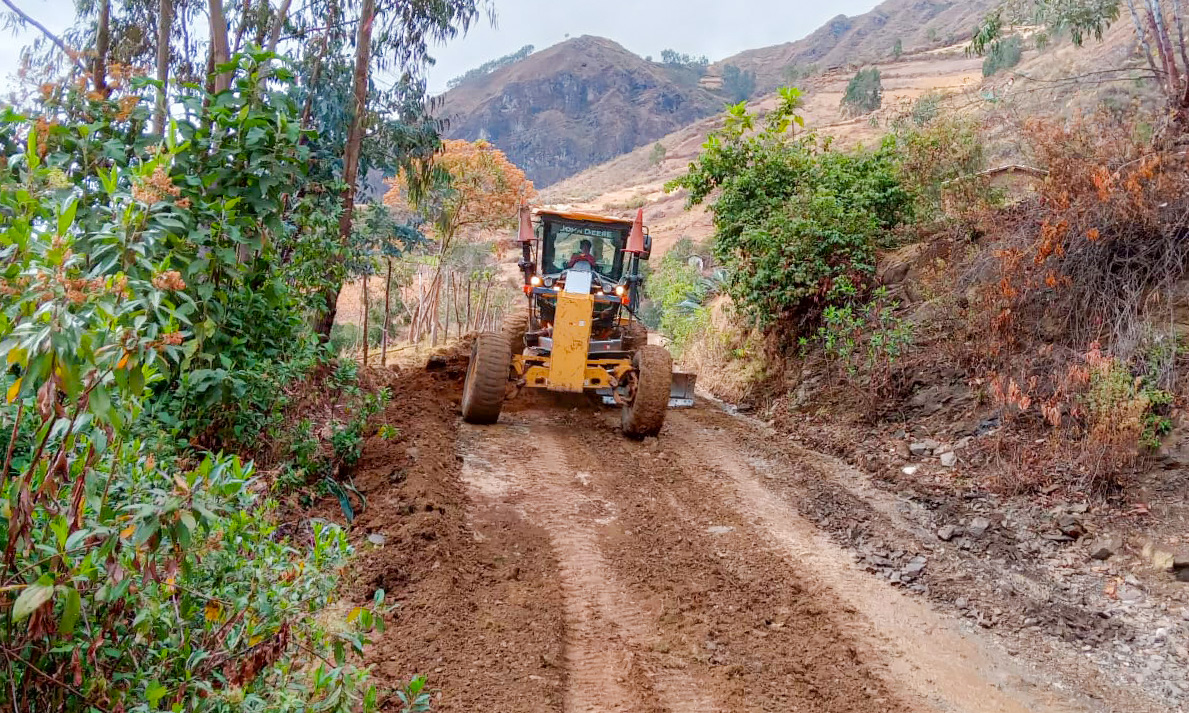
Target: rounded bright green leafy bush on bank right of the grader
x: 791, y: 214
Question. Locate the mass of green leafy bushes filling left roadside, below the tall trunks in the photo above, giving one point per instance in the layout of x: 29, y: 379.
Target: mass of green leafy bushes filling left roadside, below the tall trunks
x: 136, y: 575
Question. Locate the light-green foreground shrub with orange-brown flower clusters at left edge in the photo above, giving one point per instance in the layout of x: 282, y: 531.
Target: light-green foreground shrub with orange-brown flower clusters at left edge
x: 134, y: 579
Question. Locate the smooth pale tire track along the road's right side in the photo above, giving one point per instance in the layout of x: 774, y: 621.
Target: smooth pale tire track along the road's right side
x: 926, y: 654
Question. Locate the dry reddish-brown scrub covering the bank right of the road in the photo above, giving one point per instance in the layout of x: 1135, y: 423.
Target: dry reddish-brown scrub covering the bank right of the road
x: 1062, y: 306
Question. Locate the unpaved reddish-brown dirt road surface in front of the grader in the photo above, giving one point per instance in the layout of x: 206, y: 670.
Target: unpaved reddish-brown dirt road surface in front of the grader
x: 548, y: 564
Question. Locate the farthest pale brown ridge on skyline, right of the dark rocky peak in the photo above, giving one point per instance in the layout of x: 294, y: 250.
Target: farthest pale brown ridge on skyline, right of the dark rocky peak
x: 852, y: 42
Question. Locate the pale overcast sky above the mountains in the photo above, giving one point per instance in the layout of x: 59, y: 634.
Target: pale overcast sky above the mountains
x: 714, y: 28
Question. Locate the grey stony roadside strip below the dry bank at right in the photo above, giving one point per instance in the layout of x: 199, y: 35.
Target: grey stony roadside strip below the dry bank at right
x: 1108, y: 582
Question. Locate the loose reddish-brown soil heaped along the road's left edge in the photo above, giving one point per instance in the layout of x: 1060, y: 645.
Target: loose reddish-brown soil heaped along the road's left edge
x: 480, y: 616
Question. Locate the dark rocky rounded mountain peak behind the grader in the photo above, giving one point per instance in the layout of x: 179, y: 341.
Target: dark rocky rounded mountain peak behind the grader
x: 576, y: 105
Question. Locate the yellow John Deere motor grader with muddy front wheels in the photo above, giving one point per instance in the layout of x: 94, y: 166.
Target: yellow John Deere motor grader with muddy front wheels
x: 580, y: 332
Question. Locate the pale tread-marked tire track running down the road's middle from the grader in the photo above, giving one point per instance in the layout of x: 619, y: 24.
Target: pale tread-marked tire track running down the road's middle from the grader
x: 608, y: 634
